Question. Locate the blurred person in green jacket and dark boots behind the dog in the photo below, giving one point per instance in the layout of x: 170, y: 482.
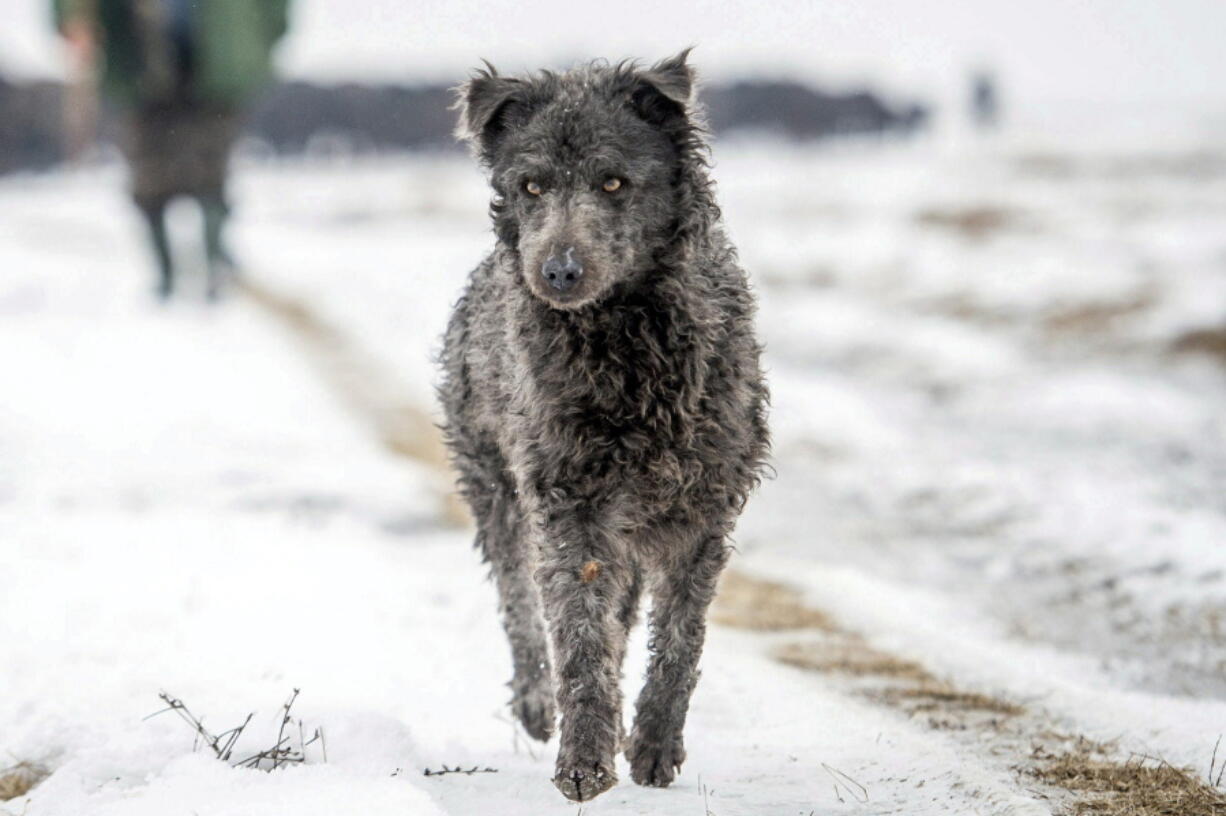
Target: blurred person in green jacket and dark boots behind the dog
x: 181, y: 73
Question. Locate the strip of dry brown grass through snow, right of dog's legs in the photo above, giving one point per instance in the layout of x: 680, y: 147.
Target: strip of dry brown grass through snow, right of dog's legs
x: 1017, y: 747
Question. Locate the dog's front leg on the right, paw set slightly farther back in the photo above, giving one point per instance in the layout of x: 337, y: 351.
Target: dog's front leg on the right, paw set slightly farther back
x: 682, y: 591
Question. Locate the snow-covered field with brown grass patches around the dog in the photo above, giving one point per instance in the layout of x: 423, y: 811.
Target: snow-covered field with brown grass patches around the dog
x: 1001, y: 443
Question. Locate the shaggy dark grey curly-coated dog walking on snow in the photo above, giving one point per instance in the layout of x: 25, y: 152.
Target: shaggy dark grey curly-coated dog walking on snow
x: 605, y: 405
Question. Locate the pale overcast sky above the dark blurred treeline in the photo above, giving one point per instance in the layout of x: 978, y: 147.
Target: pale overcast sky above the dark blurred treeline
x: 1136, y: 52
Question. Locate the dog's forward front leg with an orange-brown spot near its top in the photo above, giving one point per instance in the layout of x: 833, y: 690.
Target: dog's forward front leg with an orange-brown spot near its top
x: 585, y: 585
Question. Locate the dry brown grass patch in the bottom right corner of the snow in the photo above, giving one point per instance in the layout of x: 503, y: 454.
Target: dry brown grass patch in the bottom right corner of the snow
x: 1140, y: 787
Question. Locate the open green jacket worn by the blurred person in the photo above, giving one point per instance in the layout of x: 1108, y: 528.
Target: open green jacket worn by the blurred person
x: 232, y: 42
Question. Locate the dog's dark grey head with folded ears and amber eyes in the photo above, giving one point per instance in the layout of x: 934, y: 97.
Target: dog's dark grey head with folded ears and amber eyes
x: 587, y: 170
